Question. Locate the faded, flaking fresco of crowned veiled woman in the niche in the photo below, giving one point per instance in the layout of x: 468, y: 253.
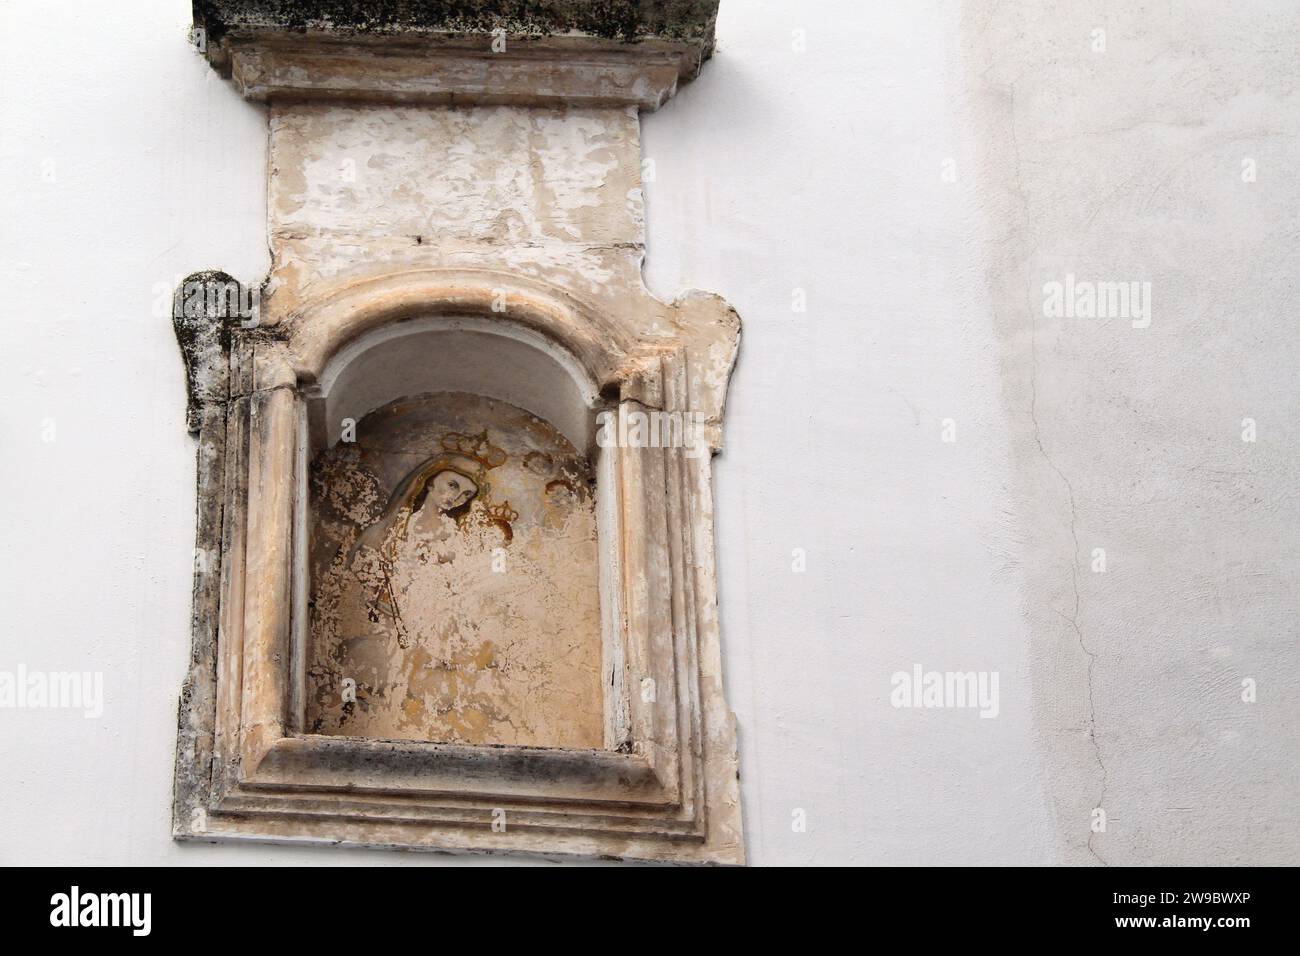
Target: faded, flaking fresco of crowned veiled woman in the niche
x: 454, y: 590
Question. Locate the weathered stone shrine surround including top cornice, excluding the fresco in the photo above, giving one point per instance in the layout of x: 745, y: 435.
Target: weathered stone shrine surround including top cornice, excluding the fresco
x: 344, y: 335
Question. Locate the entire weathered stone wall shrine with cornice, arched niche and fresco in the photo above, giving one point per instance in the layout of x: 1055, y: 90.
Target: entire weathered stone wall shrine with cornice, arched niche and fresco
x: 445, y: 599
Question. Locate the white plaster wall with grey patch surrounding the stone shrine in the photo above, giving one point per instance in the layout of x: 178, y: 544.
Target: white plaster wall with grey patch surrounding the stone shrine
x: 131, y: 165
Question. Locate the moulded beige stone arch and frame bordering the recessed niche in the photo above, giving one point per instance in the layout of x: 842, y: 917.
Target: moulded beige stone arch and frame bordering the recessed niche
x: 643, y: 795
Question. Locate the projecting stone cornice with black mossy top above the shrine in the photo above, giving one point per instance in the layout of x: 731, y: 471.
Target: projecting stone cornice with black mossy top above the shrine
x: 509, y: 53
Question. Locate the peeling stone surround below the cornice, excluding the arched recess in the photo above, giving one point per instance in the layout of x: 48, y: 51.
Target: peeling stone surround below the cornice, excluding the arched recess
x: 666, y: 785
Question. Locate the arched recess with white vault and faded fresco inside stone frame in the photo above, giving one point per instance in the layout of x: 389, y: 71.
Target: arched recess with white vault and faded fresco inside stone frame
x: 449, y: 563
